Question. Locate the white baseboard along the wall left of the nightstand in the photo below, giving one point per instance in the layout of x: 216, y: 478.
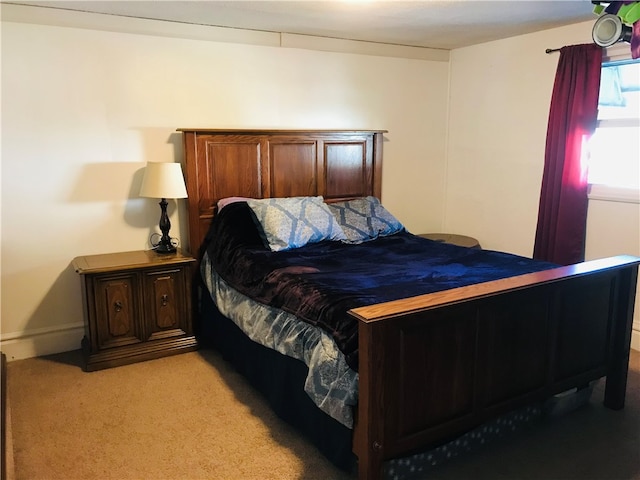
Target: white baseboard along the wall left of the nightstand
x: 44, y: 341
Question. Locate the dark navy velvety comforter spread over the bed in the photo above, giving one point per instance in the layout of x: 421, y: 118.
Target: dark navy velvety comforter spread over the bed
x: 319, y: 283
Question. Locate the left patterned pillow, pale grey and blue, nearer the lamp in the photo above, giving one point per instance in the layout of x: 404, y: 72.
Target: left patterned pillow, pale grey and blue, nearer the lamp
x: 293, y: 222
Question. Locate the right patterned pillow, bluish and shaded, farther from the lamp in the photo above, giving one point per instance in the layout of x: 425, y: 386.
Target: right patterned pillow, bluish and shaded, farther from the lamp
x: 364, y: 219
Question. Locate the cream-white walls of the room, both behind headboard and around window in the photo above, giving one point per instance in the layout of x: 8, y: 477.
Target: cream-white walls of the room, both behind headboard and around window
x: 84, y: 109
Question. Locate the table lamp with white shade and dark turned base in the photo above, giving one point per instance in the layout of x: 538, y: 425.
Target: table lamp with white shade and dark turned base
x: 163, y: 180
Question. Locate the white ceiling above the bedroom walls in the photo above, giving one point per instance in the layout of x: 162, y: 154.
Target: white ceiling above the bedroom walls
x: 445, y: 24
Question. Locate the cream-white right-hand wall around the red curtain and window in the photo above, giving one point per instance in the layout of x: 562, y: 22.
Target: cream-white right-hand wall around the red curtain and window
x: 499, y: 105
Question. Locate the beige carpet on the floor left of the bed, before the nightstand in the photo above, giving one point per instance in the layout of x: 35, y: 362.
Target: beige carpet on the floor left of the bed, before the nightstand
x: 182, y: 417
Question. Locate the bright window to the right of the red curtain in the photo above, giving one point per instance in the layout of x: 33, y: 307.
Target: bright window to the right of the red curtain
x: 614, y: 149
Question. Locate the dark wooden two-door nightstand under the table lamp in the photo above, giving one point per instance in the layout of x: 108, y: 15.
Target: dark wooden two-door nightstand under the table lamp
x: 137, y: 306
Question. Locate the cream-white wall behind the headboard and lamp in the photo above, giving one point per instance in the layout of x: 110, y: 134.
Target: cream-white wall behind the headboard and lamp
x: 83, y: 110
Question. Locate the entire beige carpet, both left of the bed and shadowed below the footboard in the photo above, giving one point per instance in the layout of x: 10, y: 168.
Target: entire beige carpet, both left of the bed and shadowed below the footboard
x: 191, y: 417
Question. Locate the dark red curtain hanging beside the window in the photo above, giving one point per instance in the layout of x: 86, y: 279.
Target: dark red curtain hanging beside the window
x: 562, y: 214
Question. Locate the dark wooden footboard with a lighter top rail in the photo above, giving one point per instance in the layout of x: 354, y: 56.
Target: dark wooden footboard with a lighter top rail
x: 437, y: 365
